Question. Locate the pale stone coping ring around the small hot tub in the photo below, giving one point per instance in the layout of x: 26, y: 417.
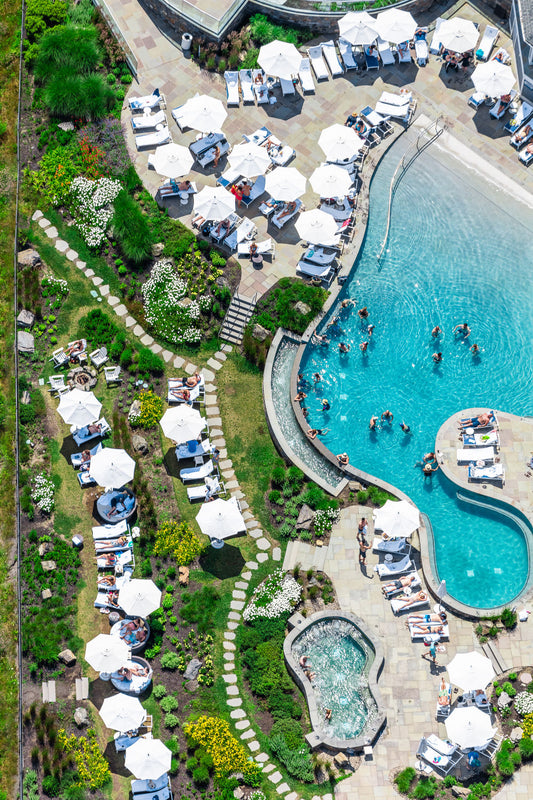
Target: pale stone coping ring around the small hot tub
x: 297, y: 624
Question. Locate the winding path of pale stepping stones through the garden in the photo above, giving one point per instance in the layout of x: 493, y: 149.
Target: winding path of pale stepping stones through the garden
x: 234, y: 700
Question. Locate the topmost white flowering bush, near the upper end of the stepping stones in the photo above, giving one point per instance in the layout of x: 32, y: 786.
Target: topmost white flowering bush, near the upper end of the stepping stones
x: 91, y: 203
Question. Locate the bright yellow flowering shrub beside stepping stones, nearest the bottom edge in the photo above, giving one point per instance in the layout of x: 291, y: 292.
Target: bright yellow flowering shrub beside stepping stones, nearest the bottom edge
x: 227, y: 753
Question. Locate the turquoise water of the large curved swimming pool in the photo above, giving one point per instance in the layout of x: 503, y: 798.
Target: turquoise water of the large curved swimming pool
x: 459, y: 250
